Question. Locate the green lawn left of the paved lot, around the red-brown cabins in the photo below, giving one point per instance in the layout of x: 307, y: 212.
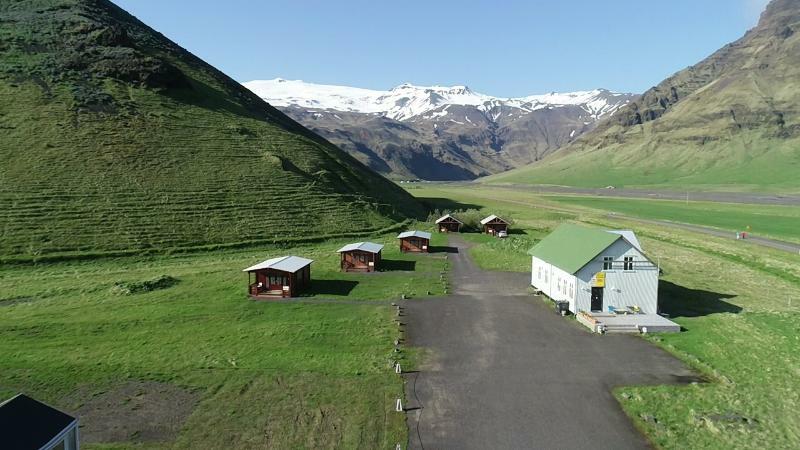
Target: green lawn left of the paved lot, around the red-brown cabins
x: 307, y: 373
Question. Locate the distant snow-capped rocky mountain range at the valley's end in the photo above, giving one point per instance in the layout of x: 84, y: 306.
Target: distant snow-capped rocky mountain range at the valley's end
x: 439, y: 133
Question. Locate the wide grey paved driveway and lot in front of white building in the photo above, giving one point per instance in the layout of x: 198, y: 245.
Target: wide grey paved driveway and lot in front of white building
x: 502, y: 371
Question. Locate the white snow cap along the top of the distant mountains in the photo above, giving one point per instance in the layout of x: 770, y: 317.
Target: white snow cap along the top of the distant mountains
x: 408, y: 101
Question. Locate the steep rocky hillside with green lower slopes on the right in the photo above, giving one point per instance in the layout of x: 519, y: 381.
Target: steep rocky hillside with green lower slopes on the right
x: 729, y: 122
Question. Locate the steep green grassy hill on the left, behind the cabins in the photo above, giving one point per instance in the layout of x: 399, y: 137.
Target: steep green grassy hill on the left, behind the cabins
x: 116, y: 140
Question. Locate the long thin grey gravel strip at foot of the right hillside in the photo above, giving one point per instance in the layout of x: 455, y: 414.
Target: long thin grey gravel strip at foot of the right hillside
x: 723, y: 197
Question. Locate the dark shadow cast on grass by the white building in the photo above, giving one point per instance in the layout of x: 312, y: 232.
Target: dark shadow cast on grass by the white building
x: 679, y: 301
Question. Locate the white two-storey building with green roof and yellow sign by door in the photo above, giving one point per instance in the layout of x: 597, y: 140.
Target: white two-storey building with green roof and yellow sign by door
x: 595, y: 270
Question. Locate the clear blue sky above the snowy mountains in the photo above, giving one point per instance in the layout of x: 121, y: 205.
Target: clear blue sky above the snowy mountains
x: 501, y: 48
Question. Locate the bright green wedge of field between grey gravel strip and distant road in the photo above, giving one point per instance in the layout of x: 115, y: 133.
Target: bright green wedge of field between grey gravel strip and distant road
x: 781, y: 222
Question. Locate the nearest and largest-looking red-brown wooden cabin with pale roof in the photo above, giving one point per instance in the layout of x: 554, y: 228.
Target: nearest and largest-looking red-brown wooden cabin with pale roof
x: 283, y: 277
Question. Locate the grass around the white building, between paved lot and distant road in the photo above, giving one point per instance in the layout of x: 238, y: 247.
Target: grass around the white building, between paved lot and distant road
x: 740, y: 310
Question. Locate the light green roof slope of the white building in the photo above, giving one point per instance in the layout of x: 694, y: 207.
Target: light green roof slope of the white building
x: 570, y: 247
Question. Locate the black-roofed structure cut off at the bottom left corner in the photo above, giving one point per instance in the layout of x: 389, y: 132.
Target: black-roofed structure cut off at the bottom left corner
x: 26, y: 423
